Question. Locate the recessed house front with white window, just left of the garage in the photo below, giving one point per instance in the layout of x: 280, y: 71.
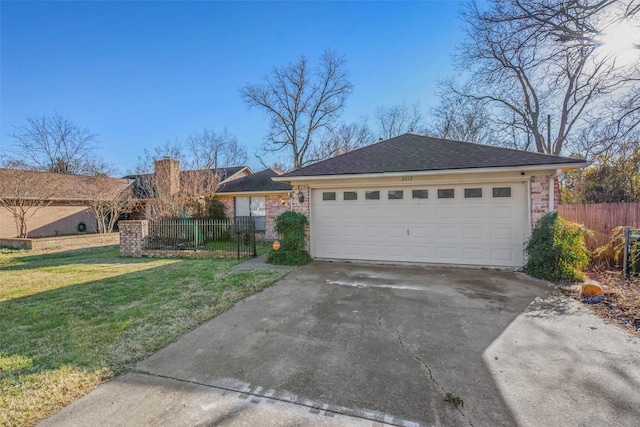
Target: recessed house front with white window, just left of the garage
x: 257, y: 196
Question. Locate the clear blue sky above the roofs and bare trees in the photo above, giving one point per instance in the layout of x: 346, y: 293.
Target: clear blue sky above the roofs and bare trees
x: 139, y: 74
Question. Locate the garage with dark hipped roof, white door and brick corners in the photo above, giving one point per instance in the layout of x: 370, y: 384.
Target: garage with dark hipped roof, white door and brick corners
x: 420, y: 199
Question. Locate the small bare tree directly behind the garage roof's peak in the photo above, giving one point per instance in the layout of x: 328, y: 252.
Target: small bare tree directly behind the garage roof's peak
x: 399, y: 119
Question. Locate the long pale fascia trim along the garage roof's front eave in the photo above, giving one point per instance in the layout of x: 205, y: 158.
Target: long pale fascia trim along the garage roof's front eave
x: 564, y: 166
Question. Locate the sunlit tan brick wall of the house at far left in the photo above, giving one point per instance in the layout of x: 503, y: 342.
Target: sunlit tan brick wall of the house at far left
x: 55, y: 219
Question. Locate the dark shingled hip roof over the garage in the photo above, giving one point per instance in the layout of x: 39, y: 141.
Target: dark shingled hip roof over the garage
x: 414, y: 153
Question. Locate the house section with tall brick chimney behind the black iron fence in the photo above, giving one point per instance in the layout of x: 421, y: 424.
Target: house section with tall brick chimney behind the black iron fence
x: 169, y: 182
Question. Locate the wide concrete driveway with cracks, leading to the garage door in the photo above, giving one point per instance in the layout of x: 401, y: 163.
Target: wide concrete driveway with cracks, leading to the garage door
x: 358, y: 344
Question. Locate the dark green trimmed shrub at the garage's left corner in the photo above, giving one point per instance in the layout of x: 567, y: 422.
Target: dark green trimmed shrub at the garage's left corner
x: 290, y: 226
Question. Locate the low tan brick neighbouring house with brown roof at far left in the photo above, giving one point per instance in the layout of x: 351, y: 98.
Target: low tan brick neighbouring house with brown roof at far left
x: 53, y: 204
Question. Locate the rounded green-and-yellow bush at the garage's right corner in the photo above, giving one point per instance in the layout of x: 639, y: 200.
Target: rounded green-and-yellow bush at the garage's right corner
x: 556, y: 249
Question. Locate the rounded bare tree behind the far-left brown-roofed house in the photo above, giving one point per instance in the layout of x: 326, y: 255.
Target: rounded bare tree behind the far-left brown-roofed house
x: 52, y: 143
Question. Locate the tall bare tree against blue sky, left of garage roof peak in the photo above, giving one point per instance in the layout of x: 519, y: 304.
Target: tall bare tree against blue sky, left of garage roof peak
x: 301, y: 103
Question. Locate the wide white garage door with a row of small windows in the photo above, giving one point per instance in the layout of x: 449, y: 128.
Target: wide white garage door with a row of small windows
x: 478, y: 224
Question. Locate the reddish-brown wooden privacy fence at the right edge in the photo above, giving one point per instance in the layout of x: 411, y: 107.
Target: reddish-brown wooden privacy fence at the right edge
x: 602, y: 218
